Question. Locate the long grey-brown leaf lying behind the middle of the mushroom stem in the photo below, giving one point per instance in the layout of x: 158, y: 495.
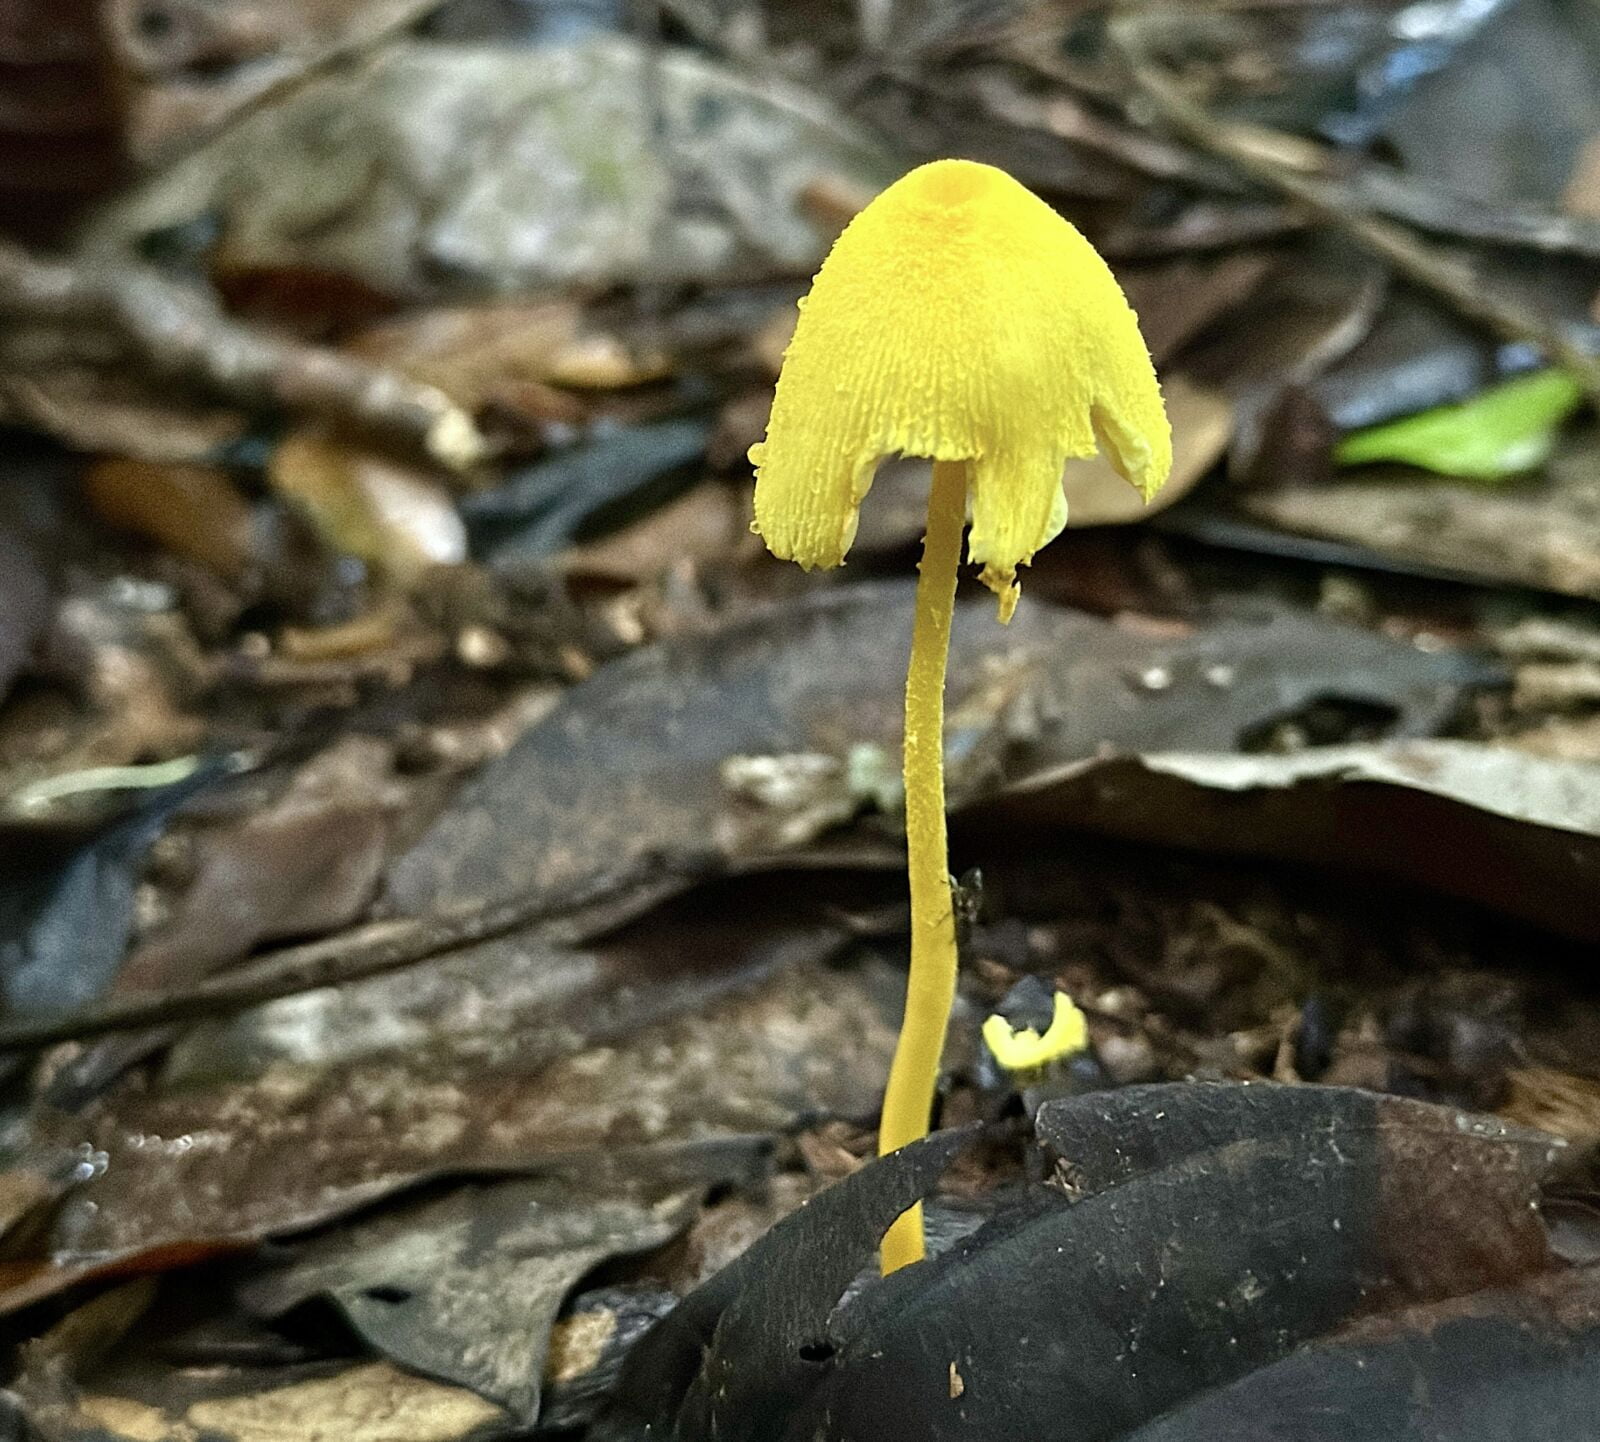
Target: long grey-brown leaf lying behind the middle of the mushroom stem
x: 631, y: 763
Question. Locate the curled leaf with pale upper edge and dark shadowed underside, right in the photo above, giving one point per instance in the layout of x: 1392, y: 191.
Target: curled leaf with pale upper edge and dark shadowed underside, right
x: 1502, y: 828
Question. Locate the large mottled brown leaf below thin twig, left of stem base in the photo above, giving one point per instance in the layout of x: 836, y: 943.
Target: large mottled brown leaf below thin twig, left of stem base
x: 676, y: 1036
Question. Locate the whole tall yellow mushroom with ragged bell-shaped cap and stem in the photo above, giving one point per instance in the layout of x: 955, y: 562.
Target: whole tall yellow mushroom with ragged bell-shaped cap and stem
x: 958, y: 318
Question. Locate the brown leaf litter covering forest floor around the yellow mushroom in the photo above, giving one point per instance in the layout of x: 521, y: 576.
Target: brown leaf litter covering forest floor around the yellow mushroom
x: 458, y: 876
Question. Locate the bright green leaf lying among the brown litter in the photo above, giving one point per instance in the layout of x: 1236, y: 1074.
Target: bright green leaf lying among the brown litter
x: 1503, y: 431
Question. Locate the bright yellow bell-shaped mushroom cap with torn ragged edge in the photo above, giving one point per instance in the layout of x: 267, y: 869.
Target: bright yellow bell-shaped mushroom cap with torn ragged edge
x: 958, y: 318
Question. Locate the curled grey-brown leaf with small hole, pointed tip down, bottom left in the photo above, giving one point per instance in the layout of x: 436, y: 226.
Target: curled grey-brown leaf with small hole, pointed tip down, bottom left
x: 466, y: 1288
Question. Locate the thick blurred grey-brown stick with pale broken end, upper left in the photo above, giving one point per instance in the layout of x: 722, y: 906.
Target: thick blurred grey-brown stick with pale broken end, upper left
x: 175, y: 334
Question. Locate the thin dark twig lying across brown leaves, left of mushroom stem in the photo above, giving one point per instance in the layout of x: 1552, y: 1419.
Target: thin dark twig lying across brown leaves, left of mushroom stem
x: 593, y: 907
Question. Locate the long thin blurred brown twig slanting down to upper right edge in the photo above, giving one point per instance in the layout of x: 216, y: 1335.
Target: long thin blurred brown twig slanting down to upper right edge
x: 1420, y: 263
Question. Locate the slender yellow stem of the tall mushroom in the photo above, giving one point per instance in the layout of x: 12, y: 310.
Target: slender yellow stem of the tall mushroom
x: 930, y: 988
